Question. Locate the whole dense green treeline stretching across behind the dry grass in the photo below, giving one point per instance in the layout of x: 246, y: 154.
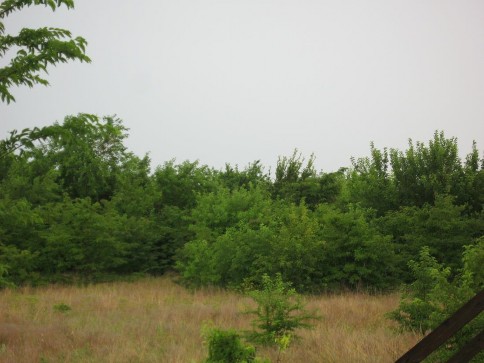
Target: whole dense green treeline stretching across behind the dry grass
x: 75, y: 204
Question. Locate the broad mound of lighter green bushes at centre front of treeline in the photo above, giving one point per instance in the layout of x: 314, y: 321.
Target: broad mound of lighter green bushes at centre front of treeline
x: 315, y: 251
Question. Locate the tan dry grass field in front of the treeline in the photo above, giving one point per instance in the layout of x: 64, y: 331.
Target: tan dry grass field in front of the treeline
x: 155, y: 320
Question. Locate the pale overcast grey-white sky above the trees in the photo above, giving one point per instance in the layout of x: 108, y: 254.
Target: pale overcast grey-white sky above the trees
x: 234, y: 81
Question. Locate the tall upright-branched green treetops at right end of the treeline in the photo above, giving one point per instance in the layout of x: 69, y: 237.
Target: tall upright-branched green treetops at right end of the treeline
x: 415, y: 177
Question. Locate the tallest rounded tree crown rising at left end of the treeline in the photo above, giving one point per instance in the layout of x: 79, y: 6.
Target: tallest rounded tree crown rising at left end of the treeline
x: 83, y: 155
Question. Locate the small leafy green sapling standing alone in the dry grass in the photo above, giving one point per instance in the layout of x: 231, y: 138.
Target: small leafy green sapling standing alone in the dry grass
x: 279, y: 313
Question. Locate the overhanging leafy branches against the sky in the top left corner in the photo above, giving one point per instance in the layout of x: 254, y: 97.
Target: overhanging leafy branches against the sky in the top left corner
x: 36, y: 48
